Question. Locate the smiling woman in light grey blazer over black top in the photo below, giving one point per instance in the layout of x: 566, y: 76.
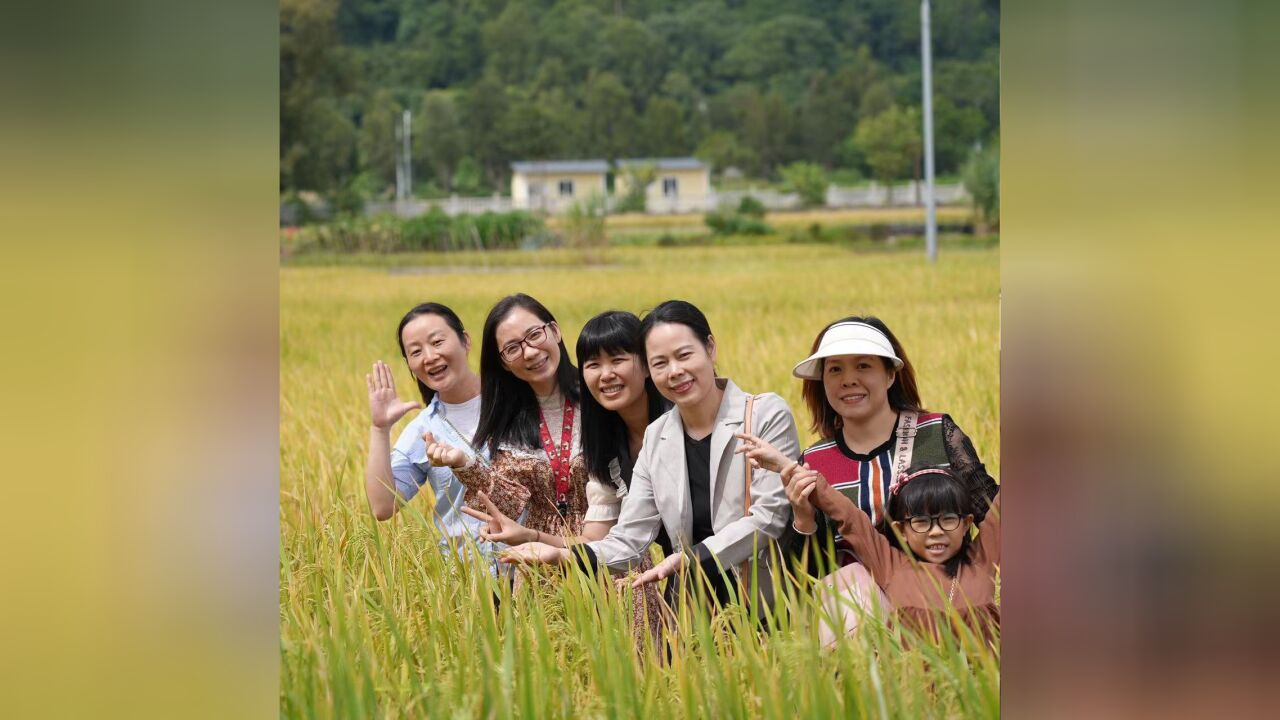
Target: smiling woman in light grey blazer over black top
x: 689, y: 479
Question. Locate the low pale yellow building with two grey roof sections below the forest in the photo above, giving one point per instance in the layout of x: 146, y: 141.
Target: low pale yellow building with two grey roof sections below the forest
x: 680, y: 185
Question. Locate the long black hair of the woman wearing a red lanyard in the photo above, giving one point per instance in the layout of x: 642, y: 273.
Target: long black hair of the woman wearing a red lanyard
x: 509, y: 408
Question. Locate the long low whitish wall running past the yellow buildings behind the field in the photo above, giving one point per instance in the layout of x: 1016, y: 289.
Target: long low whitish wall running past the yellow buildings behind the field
x: 871, y: 197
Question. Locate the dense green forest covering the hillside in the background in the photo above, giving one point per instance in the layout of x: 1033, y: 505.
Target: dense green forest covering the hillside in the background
x: 748, y: 84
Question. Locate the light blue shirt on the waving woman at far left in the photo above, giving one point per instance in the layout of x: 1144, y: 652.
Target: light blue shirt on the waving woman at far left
x: 412, y: 471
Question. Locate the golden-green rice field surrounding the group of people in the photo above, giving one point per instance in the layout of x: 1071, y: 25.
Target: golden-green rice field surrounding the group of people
x: 376, y: 623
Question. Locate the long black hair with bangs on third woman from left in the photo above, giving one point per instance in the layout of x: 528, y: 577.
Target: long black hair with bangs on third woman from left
x: 605, y: 435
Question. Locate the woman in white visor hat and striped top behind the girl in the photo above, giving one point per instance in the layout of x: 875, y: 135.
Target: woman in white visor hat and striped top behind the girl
x: 862, y: 397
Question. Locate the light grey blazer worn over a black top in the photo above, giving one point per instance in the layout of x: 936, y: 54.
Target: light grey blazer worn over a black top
x: 660, y: 487
